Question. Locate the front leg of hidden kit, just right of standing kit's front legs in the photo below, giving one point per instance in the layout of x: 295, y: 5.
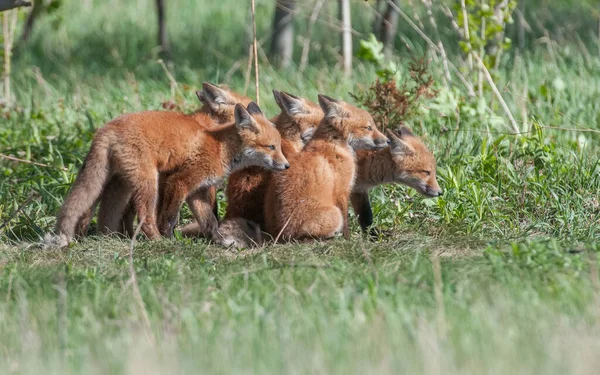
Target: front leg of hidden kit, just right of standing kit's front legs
x: 203, y: 204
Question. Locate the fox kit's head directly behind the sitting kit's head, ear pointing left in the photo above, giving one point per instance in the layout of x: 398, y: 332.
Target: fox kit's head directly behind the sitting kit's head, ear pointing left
x: 298, y: 119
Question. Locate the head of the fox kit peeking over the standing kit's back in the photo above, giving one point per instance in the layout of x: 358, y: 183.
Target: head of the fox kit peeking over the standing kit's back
x: 219, y: 102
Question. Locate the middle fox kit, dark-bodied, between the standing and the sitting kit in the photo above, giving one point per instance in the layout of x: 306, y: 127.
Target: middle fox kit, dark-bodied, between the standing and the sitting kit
x: 246, y: 188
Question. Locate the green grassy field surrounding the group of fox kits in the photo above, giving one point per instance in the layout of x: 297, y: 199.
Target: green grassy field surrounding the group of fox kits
x: 498, y: 275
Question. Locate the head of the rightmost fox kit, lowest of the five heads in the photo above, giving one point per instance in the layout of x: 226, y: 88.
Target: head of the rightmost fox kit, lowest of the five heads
x: 414, y: 164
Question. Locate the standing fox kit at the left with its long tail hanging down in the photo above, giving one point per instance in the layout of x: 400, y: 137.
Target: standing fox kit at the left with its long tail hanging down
x: 140, y: 146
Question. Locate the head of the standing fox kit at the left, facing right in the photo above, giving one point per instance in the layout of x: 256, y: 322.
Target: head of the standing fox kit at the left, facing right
x: 261, y: 142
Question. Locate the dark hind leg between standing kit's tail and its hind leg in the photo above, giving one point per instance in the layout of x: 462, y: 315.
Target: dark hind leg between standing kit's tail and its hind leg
x: 114, y: 200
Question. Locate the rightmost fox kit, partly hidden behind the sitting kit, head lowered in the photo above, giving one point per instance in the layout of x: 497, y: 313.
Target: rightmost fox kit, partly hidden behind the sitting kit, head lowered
x: 407, y: 161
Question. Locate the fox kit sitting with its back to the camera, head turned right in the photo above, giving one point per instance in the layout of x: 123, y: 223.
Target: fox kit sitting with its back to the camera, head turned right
x: 310, y: 200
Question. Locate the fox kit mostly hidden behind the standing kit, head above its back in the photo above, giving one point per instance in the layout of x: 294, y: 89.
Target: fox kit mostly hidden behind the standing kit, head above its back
x: 116, y: 213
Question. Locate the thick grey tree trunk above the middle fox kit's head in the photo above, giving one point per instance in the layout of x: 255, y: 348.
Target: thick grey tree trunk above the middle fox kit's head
x: 282, y: 44
